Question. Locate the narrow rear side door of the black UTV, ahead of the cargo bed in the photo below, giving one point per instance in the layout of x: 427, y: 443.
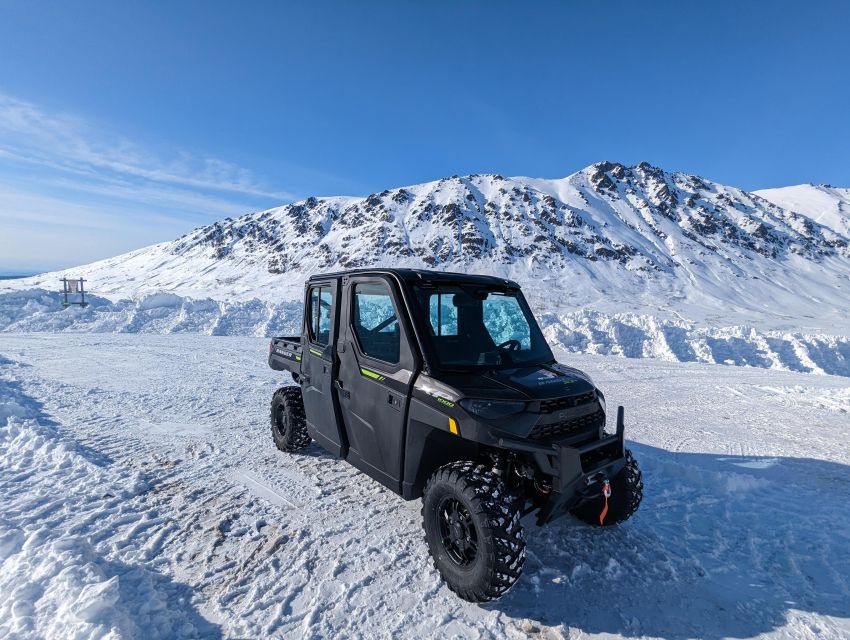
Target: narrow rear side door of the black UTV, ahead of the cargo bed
x: 318, y: 366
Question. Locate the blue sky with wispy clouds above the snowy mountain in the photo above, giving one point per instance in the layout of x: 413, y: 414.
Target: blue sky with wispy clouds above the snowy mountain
x: 128, y: 123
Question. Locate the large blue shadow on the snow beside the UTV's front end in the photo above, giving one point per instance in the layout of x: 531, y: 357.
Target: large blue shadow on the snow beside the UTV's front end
x: 722, y: 546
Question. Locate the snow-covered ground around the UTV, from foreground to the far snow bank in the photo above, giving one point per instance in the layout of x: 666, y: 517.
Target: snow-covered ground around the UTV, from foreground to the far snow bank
x: 142, y: 497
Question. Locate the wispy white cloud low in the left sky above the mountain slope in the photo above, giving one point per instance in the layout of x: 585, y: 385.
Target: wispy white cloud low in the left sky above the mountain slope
x: 106, y: 193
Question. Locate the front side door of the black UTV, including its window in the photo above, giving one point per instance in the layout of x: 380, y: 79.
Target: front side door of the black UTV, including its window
x: 376, y: 371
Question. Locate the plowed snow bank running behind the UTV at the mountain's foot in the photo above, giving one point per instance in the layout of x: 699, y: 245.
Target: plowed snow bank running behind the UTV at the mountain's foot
x: 586, y: 331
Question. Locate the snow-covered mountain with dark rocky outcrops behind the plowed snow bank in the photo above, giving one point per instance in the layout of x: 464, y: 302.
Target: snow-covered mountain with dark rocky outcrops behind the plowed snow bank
x: 610, y: 238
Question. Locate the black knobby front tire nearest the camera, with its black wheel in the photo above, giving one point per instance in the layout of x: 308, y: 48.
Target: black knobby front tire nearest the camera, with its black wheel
x: 465, y: 497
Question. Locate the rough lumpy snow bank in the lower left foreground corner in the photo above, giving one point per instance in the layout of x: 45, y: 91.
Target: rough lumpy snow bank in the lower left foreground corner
x: 53, y: 583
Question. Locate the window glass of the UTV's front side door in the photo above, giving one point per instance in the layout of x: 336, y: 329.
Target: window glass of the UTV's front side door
x: 375, y: 322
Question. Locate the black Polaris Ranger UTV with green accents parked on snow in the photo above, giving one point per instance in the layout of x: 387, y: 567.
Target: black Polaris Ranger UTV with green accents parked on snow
x: 442, y: 386
